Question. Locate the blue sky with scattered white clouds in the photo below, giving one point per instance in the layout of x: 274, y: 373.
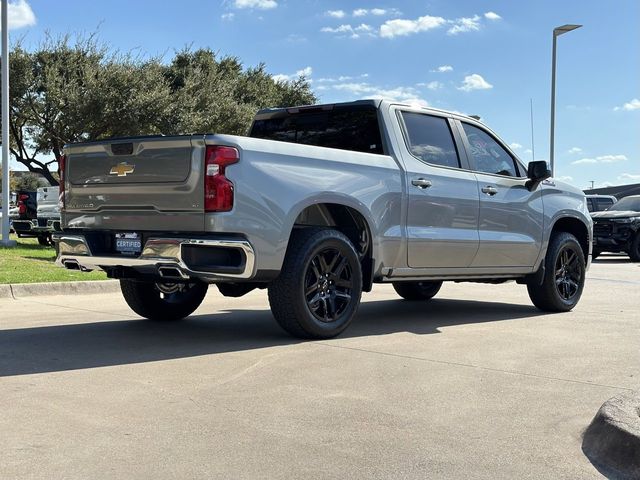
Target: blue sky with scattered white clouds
x: 490, y: 58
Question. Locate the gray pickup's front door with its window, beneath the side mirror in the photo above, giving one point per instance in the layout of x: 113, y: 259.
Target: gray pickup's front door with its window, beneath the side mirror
x: 510, y: 222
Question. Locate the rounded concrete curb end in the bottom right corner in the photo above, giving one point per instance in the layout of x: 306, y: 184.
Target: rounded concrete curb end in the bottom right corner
x: 612, y: 441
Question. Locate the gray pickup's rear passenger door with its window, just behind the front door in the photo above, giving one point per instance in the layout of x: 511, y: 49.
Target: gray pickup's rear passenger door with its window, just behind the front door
x: 443, y: 203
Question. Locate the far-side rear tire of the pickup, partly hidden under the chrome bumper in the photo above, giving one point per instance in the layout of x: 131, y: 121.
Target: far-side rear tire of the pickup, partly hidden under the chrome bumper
x: 176, y: 302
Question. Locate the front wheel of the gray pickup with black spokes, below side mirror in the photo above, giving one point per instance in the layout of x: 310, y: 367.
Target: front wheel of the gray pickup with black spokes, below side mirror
x: 564, y: 275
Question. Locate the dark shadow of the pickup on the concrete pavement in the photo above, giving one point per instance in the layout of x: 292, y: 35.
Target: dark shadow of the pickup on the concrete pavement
x: 57, y: 348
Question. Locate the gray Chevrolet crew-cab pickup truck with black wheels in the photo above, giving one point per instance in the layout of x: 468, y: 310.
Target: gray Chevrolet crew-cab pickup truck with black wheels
x: 316, y: 204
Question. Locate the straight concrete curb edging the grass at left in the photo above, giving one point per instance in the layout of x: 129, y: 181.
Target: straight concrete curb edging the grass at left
x: 20, y: 290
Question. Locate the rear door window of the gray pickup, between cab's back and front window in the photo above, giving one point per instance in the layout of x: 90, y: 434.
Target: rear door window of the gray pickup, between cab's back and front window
x: 429, y: 139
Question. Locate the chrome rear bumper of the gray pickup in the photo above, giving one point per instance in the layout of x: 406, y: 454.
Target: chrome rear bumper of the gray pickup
x: 170, y: 258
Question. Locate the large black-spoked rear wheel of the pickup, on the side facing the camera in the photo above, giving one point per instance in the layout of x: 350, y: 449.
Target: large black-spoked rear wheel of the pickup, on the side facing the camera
x: 318, y: 290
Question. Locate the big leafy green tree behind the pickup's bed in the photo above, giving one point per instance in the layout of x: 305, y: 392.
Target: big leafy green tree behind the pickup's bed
x: 65, y: 92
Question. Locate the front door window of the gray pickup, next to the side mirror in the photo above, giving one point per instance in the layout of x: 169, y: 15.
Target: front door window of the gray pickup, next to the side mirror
x: 487, y: 154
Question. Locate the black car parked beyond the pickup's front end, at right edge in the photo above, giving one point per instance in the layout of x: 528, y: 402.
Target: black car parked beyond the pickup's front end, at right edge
x: 618, y: 228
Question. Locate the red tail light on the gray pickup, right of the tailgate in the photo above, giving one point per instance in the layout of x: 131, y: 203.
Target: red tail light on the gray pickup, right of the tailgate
x: 218, y: 190
